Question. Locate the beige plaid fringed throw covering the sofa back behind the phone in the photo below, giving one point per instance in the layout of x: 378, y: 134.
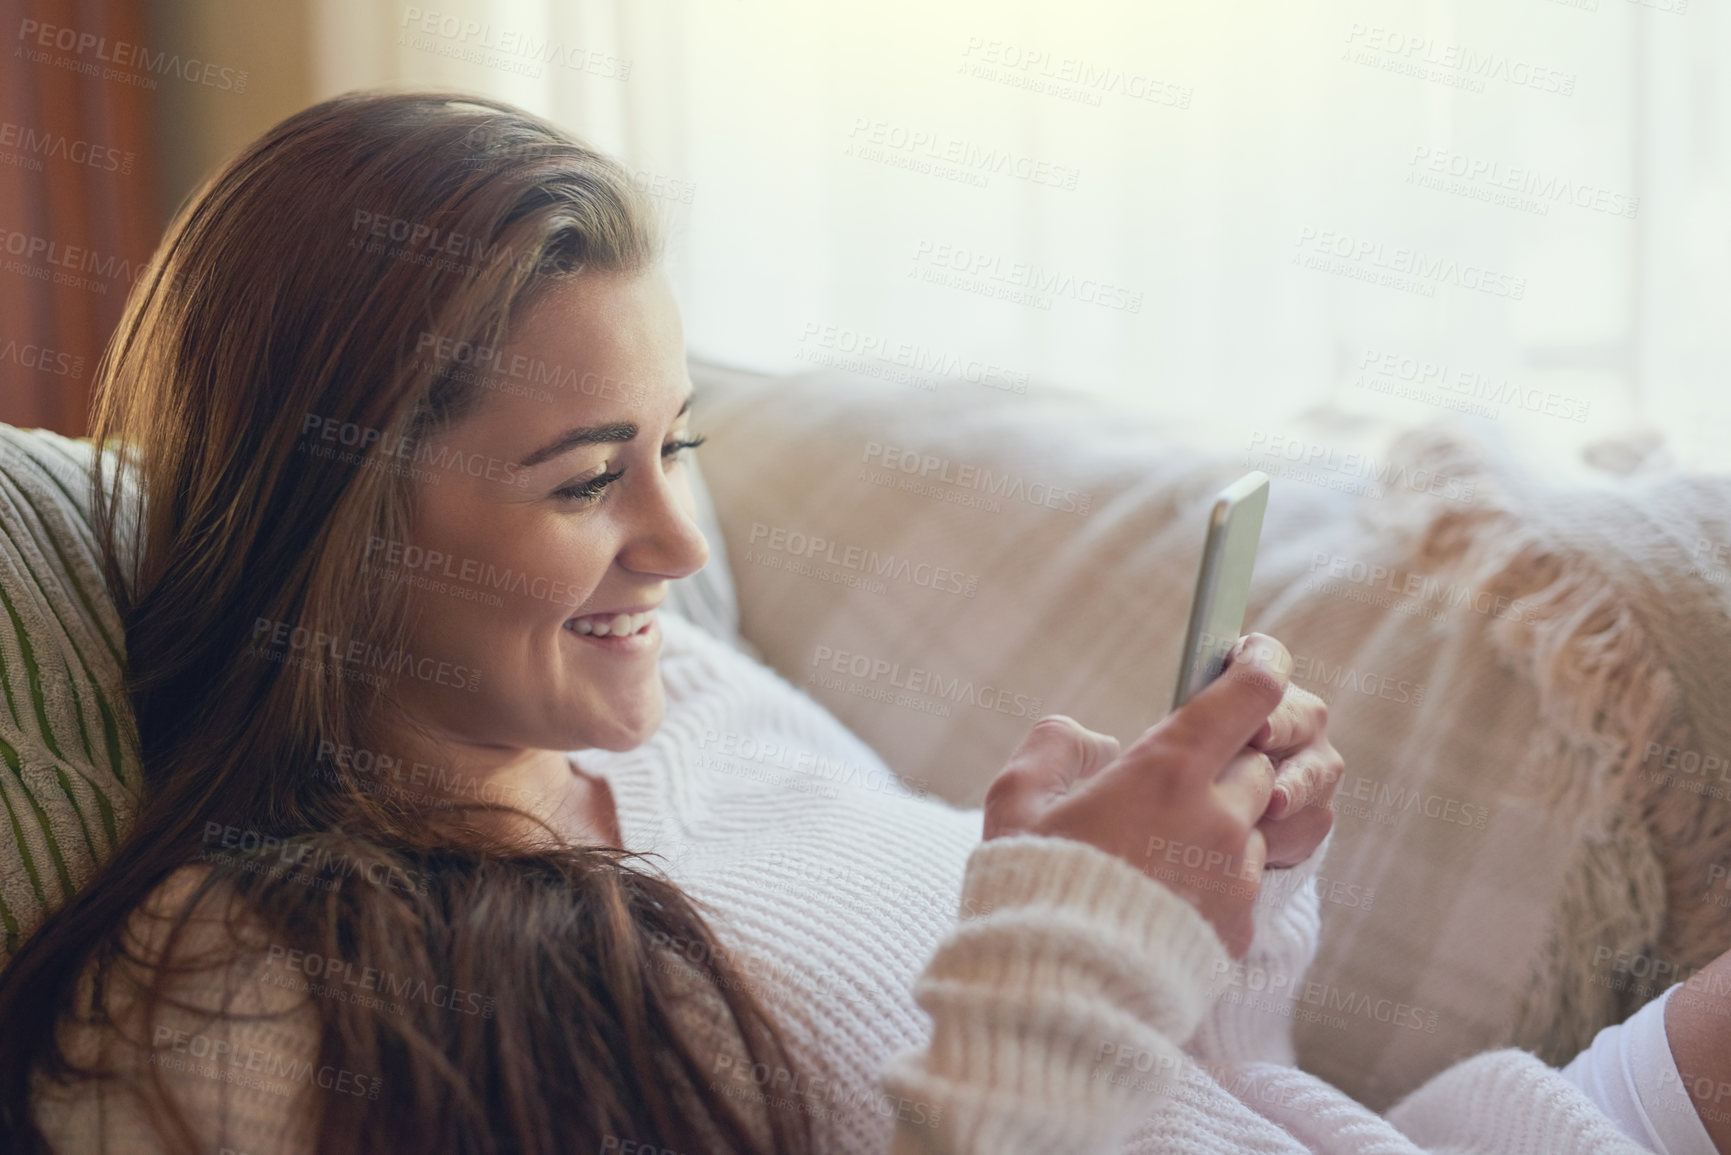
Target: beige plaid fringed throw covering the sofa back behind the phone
x: 943, y: 569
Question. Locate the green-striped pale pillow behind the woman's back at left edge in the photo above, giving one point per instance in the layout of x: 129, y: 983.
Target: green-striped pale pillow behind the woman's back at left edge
x: 70, y: 780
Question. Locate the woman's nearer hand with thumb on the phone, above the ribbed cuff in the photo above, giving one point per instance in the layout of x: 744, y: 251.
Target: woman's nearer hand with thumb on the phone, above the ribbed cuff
x: 1181, y: 804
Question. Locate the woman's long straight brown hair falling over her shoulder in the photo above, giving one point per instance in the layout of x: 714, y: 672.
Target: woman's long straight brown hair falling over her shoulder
x: 299, y: 287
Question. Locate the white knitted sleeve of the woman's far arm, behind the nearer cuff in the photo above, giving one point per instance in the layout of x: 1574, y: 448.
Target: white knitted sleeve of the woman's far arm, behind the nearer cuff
x: 1252, y: 1023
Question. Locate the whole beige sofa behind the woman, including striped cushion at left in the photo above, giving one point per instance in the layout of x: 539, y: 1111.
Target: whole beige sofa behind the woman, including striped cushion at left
x: 1533, y: 836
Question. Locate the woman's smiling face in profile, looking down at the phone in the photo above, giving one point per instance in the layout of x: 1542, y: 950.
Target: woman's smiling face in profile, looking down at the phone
x: 534, y: 517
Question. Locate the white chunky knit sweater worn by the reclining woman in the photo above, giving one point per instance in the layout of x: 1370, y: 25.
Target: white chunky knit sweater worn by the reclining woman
x: 951, y: 997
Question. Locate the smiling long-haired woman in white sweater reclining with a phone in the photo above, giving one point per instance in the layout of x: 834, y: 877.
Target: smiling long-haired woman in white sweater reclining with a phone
x: 406, y: 396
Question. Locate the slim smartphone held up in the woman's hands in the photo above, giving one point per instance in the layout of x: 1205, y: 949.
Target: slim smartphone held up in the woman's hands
x: 1223, y: 583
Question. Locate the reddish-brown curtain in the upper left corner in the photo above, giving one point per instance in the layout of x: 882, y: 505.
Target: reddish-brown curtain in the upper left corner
x: 79, y: 203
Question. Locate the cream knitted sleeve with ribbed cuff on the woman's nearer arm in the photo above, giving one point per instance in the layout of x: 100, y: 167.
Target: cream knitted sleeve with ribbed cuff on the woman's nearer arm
x: 1060, y: 1005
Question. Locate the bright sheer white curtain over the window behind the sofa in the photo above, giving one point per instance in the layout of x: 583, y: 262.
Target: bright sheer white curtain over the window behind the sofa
x: 1507, y: 210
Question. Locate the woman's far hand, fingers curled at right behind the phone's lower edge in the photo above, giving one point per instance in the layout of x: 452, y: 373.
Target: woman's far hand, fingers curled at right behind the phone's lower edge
x: 1306, y: 771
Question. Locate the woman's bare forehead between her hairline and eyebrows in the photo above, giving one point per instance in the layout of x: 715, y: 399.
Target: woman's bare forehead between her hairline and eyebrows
x: 603, y: 347
